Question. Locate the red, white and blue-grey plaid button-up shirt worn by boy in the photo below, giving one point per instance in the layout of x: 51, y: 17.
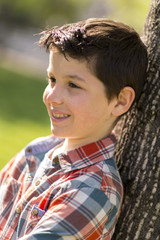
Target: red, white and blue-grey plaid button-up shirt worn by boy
x: 78, y: 195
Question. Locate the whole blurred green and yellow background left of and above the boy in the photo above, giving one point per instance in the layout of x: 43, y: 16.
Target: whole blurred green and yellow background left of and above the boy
x: 23, y: 116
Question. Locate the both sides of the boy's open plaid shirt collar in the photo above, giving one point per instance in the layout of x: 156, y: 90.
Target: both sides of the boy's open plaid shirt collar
x: 77, y: 158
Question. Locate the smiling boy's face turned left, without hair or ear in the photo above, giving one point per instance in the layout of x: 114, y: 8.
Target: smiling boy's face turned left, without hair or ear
x: 76, y: 101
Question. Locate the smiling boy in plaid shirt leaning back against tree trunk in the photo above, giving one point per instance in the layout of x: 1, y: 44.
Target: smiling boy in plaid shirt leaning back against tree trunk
x: 67, y: 186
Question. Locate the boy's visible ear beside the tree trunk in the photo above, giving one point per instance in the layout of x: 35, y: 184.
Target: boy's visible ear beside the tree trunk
x: 124, y: 101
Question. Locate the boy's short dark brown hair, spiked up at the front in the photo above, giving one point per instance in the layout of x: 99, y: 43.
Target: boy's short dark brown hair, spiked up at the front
x: 115, y: 51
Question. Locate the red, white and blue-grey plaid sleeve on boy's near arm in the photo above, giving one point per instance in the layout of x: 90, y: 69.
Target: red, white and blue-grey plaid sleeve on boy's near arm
x: 84, y: 214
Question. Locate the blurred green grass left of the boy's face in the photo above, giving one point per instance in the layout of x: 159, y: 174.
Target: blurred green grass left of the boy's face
x: 23, y: 115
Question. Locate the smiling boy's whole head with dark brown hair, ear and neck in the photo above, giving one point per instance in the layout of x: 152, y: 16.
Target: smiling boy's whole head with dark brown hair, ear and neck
x: 96, y: 68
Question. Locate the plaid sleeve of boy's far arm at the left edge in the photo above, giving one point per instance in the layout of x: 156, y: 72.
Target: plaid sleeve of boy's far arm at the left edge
x: 11, y: 179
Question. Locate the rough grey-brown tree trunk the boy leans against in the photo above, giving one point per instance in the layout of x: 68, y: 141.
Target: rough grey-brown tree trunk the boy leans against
x: 138, y: 148
